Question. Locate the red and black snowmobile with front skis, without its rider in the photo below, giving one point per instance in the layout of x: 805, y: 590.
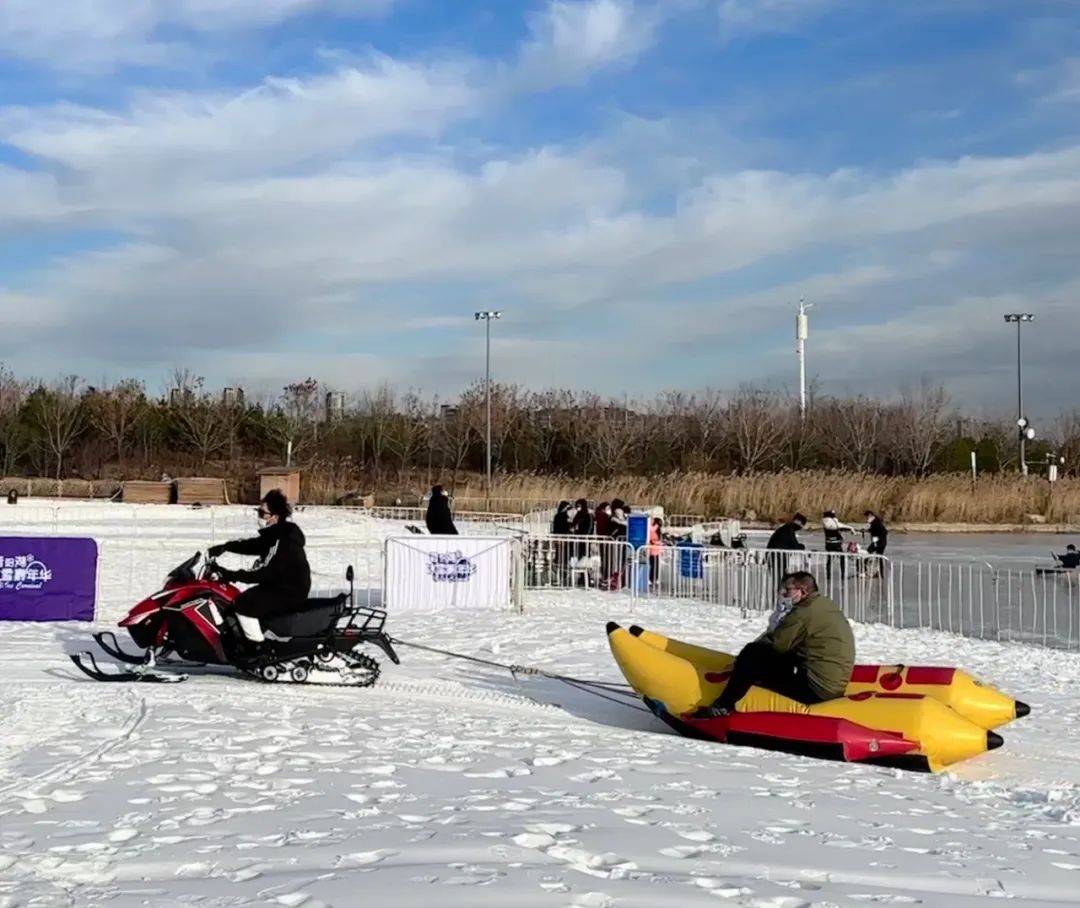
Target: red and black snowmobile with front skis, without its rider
x: 191, y: 624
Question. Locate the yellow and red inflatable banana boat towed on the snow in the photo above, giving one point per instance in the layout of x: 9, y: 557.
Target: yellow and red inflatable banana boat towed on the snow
x: 913, y: 717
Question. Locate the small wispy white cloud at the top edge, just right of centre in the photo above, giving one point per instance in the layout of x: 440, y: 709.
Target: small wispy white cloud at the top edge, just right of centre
x: 572, y: 39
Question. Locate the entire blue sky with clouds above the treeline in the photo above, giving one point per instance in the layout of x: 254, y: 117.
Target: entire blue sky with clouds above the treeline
x: 263, y: 191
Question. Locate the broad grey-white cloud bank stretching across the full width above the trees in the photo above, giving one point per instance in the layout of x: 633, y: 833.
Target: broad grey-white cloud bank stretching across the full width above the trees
x: 274, y: 223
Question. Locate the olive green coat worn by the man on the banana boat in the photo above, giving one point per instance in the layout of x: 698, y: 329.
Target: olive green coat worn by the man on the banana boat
x: 819, y: 636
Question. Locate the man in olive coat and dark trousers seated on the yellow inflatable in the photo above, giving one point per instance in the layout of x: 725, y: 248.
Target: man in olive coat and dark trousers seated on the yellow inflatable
x: 807, y: 654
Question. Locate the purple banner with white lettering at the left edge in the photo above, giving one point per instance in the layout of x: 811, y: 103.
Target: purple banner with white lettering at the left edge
x: 48, y: 579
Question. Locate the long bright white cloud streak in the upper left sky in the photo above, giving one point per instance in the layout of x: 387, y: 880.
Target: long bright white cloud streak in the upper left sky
x: 280, y: 123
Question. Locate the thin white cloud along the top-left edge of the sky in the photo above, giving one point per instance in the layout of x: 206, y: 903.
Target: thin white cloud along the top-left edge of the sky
x: 87, y: 35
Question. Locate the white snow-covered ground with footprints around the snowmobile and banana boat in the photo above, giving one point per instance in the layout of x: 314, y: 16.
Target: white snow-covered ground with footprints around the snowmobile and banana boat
x: 454, y: 784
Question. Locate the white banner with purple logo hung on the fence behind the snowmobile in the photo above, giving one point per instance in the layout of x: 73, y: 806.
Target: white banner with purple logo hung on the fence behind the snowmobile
x: 448, y: 573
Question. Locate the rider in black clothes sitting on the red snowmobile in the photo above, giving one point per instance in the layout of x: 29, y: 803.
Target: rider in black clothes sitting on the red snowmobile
x: 281, y: 573
